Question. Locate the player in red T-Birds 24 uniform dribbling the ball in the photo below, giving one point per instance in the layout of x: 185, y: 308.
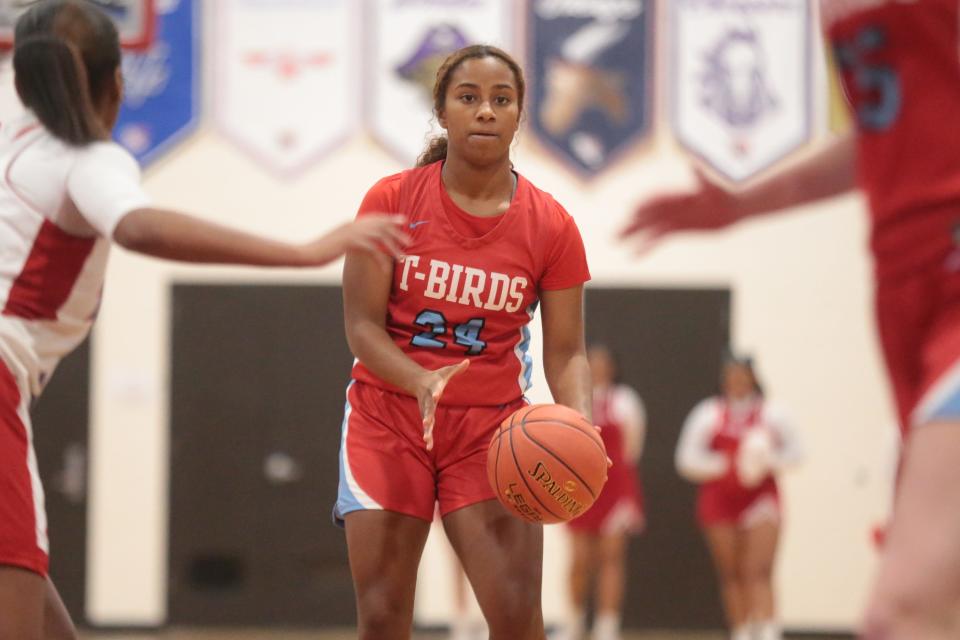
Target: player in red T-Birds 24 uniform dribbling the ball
x: 441, y: 341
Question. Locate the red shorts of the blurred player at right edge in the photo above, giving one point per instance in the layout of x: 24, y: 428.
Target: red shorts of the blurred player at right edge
x: 918, y: 317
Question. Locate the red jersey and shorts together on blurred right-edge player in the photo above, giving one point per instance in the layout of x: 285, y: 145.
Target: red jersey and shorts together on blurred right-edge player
x: 900, y: 65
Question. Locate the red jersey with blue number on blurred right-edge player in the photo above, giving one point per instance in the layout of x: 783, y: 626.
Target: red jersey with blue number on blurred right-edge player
x: 900, y: 66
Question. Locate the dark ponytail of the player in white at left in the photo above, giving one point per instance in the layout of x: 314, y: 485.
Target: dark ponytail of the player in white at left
x: 51, y: 81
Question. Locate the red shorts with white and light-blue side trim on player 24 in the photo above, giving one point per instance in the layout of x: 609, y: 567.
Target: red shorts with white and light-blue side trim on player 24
x: 384, y: 463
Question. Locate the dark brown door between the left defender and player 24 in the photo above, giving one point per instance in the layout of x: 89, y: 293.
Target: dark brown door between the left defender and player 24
x: 258, y: 380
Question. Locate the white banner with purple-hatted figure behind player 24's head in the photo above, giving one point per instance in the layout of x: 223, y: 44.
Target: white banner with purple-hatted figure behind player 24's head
x: 408, y: 41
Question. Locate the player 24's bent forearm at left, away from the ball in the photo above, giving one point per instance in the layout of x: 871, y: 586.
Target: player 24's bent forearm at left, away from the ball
x: 373, y: 346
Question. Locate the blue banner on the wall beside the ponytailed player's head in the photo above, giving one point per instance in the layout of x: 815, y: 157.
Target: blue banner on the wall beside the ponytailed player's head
x: 161, y: 85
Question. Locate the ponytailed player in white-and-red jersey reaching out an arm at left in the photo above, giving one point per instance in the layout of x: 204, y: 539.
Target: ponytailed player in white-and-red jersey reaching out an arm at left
x: 66, y: 191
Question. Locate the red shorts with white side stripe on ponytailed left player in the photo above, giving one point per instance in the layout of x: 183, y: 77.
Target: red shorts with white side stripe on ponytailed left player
x: 23, y: 521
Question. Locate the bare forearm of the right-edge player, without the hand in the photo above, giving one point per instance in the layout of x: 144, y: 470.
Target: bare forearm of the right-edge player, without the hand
x: 827, y: 173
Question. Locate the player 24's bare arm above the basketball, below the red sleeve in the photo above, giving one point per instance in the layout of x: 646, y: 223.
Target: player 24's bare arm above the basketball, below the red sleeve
x: 564, y: 349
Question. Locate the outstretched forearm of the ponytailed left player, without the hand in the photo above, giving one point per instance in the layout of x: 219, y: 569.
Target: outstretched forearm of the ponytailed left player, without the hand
x: 175, y: 236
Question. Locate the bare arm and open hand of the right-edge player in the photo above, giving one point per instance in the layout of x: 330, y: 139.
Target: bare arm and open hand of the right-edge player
x: 827, y: 173
